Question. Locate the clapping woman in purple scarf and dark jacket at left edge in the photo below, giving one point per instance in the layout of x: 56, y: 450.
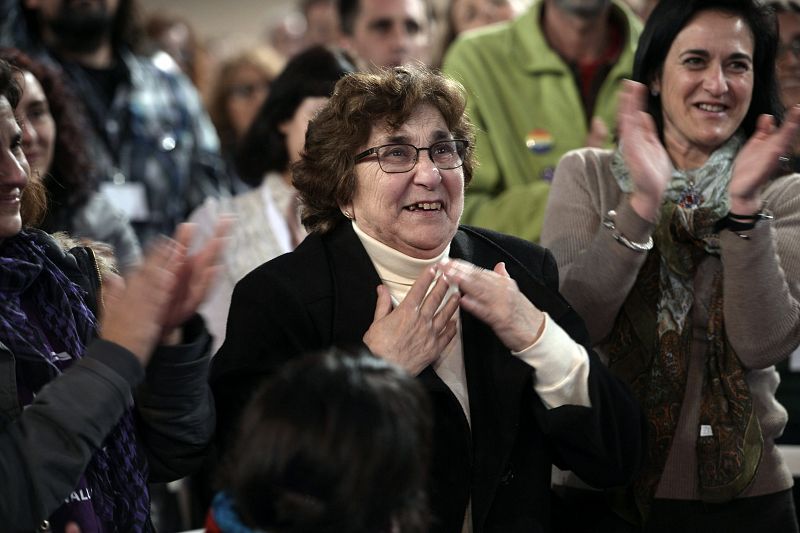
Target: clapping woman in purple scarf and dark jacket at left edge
x: 83, y: 426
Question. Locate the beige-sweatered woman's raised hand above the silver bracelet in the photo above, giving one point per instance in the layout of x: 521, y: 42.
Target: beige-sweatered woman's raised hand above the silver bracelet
x: 645, y: 156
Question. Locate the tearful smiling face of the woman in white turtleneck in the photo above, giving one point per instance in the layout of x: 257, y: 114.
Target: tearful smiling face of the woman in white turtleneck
x: 414, y: 212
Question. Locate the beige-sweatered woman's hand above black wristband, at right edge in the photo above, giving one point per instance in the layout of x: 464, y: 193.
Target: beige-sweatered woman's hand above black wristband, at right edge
x: 758, y: 160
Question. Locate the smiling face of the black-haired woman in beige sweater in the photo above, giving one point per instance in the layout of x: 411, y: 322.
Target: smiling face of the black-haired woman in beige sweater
x: 706, y: 86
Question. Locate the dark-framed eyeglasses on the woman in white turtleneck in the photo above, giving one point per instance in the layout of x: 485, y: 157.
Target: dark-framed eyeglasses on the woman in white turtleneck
x: 396, y: 158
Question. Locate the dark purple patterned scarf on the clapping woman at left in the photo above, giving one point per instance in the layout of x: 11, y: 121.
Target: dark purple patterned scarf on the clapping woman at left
x: 116, y: 473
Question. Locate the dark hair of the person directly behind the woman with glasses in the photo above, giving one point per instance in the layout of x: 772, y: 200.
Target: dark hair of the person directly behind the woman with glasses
x: 313, y: 72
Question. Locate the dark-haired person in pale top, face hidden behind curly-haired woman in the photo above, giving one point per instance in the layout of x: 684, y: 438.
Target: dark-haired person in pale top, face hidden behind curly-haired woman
x: 268, y: 217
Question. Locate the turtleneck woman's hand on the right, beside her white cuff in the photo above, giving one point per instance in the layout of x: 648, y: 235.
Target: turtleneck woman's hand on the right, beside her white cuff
x: 494, y: 298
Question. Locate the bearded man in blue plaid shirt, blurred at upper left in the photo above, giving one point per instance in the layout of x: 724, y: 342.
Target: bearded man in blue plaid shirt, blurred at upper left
x: 150, y: 138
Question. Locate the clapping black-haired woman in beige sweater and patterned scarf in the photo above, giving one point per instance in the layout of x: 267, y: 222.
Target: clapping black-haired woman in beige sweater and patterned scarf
x: 681, y: 251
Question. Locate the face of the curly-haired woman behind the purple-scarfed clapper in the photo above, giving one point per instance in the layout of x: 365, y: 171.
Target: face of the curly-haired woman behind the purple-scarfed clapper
x: 38, y: 126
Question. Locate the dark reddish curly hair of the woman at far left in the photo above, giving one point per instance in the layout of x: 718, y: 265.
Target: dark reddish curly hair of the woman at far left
x: 69, y: 181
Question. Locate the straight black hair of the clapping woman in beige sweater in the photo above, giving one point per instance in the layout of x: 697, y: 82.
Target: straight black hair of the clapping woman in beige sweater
x: 670, y: 17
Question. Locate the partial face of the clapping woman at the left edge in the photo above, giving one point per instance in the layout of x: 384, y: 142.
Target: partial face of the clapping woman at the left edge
x: 13, y: 171
